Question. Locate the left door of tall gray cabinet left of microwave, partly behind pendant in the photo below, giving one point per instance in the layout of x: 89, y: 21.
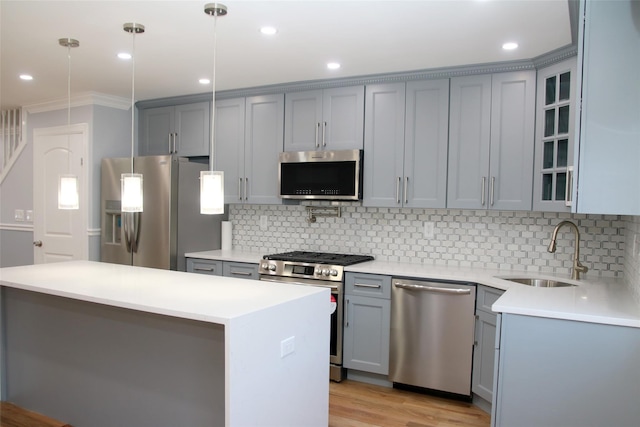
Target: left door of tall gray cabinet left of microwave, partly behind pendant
x: 228, y: 153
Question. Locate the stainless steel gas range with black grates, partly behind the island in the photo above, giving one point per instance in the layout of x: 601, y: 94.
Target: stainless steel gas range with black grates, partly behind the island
x: 316, y: 269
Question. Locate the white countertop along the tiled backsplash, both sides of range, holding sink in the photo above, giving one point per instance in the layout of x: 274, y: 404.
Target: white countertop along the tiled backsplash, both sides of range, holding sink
x: 594, y: 299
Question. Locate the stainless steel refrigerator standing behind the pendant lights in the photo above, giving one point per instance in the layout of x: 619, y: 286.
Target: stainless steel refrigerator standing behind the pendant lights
x: 170, y: 224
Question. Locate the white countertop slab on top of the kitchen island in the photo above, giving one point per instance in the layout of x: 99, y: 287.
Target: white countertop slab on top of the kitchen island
x: 213, y: 299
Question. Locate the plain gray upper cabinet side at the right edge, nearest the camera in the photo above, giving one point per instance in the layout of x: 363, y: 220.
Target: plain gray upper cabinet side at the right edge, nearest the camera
x: 609, y: 154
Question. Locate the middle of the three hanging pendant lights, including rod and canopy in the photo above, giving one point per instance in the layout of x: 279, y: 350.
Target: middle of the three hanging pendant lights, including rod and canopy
x: 132, y: 194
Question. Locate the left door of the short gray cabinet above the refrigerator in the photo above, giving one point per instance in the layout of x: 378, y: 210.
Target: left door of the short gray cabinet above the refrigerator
x: 156, y: 131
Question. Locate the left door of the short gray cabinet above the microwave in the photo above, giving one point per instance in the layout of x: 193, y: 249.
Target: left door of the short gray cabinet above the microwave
x: 303, y: 121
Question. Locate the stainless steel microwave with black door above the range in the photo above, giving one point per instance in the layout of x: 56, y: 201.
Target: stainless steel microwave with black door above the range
x: 320, y: 175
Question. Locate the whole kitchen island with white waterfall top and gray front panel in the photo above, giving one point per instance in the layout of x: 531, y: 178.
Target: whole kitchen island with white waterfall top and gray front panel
x: 101, y: 344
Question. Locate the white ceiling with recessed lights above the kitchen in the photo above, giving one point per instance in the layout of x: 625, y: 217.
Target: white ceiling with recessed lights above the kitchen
x: 366, y: 37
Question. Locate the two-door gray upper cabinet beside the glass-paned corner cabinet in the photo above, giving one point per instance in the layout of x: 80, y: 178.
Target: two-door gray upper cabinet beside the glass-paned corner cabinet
x: 491, y: 141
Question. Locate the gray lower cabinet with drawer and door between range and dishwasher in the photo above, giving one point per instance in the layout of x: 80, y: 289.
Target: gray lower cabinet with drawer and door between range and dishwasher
x: 367, y: 322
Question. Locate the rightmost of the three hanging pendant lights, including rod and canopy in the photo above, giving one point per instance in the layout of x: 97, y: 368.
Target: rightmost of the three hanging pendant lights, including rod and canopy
x: 212, y: 182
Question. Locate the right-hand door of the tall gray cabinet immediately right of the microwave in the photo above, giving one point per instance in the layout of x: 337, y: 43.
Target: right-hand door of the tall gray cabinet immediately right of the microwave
x: 426, y: 144
